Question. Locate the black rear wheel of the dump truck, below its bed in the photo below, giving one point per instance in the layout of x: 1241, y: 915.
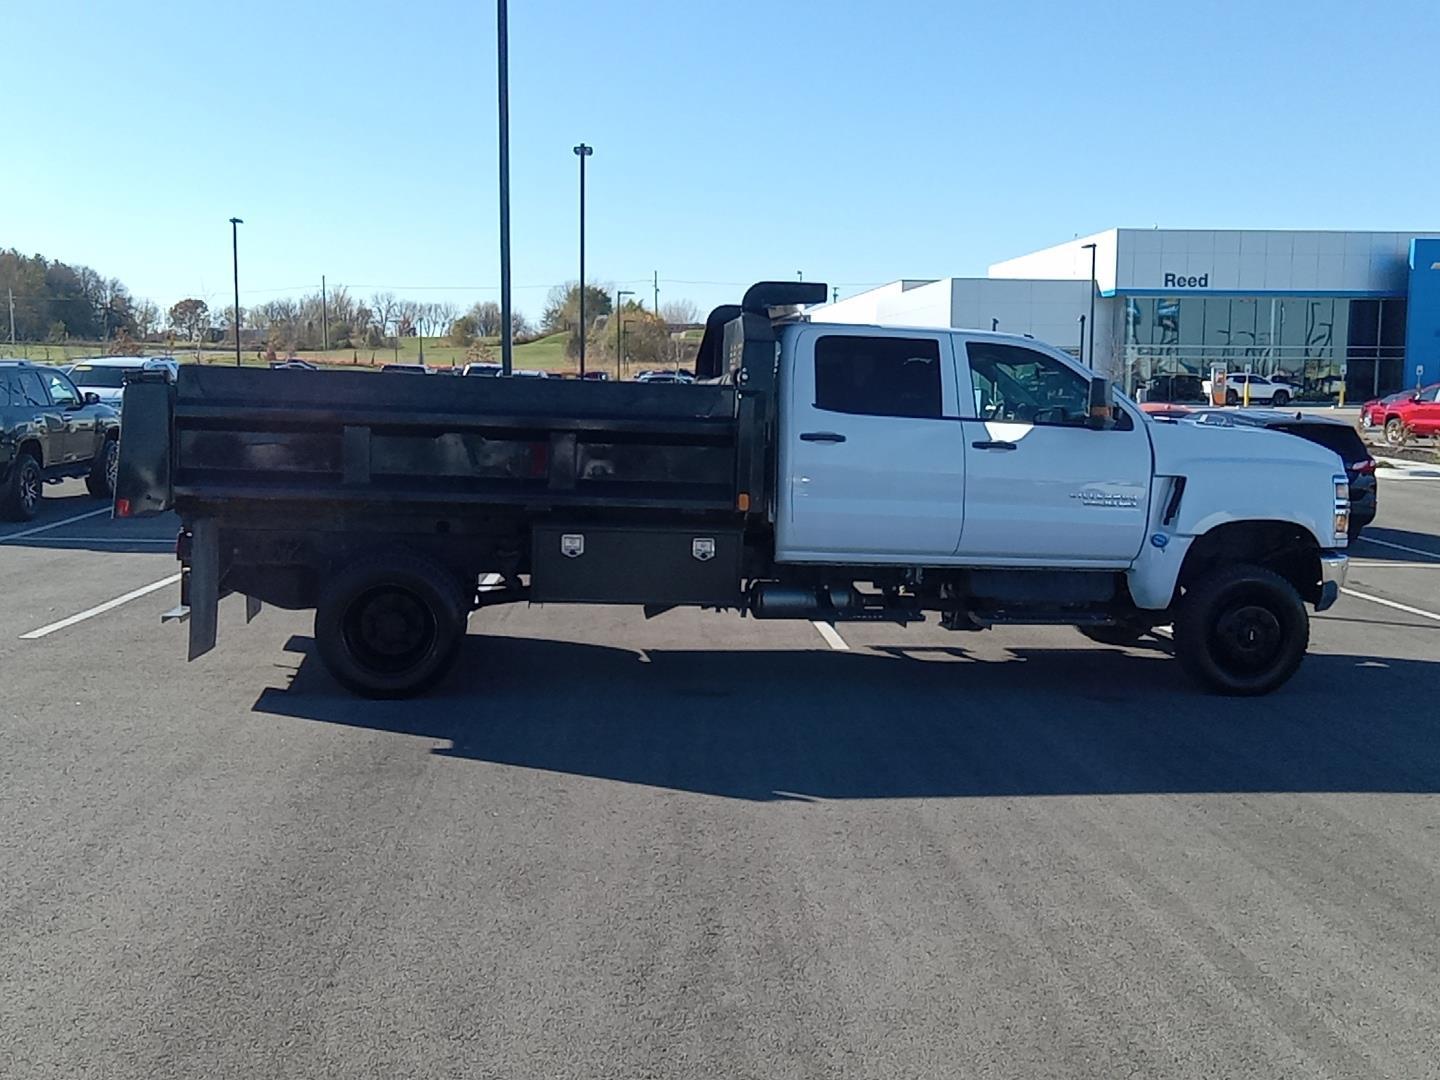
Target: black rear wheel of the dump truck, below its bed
x: 391, y: 626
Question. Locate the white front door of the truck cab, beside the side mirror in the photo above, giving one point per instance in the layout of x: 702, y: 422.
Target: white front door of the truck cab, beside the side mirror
x: 1043, y: 487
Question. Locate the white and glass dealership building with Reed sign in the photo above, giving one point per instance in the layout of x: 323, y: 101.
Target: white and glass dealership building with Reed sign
x: 1326, y: 310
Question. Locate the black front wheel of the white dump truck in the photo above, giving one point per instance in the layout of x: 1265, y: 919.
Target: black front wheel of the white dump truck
x: 1242, y: 630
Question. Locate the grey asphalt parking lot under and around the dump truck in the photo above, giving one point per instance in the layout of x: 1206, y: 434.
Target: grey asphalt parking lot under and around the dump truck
x: 702, y: 846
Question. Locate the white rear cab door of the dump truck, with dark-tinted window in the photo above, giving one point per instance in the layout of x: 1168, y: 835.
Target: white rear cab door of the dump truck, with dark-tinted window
x: 872, y: 456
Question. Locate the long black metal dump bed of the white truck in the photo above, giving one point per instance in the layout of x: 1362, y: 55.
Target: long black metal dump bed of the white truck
x: 320, y: 437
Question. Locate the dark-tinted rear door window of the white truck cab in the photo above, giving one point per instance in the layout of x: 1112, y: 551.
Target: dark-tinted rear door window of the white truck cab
x: 879, y: 377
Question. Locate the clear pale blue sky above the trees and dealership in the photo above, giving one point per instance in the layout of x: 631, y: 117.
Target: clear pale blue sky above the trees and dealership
x: 855, y: 142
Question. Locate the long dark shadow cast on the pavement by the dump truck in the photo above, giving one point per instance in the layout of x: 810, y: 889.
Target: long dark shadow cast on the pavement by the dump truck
x: 908, y: 724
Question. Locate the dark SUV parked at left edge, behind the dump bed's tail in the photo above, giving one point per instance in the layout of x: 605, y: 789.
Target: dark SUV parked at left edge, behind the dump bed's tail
x: 51, y: 431
